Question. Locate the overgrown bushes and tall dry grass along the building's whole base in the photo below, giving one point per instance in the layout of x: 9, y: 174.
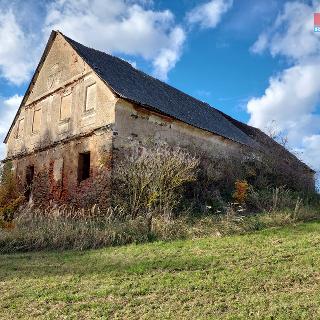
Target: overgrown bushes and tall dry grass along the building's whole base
x: 156, y: 194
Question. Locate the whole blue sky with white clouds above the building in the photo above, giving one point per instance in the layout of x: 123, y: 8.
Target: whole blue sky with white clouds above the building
x: 256, y: 60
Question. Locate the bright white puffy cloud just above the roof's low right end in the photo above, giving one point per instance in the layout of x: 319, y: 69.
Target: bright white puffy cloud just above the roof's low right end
x: 290, y: 96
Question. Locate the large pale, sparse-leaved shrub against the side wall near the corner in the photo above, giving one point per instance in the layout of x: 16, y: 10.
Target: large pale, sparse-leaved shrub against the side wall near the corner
x: 152, y: 180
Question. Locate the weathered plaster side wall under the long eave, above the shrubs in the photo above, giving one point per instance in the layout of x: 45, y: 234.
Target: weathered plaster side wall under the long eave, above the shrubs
x: 134, y: 124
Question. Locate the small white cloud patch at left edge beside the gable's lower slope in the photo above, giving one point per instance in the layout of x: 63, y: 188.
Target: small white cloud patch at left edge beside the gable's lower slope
x: 8, y: 109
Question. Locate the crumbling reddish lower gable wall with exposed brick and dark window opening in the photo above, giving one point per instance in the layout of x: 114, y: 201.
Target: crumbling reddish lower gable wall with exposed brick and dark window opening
x: 56, y: 172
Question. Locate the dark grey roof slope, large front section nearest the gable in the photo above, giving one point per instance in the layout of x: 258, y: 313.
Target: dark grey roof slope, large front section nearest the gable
x: 134, y: 85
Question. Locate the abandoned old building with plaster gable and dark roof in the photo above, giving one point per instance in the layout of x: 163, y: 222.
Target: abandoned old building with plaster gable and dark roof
x: 84, y: 106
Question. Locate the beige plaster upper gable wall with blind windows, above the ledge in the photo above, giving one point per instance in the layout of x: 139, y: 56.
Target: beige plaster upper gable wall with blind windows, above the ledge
x: 60, y: 104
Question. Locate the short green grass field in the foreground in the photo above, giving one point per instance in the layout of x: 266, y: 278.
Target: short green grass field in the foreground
x: 272, y: 274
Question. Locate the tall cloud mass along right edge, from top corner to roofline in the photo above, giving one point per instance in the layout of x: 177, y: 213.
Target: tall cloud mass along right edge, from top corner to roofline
x: 292, y: 98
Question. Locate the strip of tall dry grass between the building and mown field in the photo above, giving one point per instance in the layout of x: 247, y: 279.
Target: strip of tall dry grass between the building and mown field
x: 61, y: 229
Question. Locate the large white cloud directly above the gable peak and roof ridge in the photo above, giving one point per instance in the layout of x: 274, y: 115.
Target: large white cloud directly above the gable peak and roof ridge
x: 121, y: 27
